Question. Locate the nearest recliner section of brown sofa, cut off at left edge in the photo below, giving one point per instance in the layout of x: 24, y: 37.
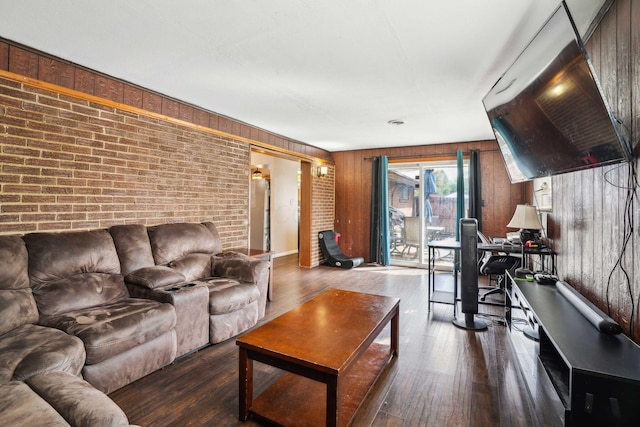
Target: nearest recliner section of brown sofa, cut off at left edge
x: 40, y: 366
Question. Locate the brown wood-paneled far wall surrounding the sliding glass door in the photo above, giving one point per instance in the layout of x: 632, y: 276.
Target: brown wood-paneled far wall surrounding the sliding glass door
x: 353, y: 189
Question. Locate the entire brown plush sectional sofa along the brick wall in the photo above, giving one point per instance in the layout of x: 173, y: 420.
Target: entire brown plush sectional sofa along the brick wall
x: 84, y: 313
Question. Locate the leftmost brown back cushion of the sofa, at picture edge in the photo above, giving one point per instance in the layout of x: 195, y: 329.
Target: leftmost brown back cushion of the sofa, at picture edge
x: 17, y: 306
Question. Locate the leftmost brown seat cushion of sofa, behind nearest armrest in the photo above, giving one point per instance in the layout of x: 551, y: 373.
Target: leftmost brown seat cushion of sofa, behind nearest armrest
x: 31, y: 349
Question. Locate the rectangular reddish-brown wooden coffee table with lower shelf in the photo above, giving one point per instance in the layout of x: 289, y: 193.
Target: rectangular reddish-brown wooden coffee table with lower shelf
x: 327, y: 348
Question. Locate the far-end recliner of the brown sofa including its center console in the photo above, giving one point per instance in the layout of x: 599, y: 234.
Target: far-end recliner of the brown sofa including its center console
x: 217, y: 296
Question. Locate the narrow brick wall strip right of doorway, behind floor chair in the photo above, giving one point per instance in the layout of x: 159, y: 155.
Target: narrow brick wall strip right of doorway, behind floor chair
x: 323, y: 211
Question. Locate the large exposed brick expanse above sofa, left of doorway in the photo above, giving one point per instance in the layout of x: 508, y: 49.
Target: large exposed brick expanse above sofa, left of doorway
x: 67, y: 163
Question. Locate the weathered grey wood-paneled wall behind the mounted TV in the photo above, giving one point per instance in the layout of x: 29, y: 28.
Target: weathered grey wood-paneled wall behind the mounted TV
x: 587, y: 222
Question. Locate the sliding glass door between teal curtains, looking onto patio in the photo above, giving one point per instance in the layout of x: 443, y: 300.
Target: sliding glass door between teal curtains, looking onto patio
x: 422, y: 207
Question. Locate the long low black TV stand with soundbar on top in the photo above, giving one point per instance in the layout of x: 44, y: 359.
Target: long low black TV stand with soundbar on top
x: 595, y: 375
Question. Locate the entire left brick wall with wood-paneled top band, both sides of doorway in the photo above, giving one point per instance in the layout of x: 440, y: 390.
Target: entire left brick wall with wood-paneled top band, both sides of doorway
x: 69, y: 164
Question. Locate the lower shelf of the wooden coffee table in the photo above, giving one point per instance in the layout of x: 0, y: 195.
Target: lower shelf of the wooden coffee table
x: 294, y: 400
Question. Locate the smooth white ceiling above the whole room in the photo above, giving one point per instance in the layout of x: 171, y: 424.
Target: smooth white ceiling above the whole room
x: 329, y: 73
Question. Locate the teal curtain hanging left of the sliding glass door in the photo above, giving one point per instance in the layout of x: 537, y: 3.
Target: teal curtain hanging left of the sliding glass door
x: 379, y: 248
